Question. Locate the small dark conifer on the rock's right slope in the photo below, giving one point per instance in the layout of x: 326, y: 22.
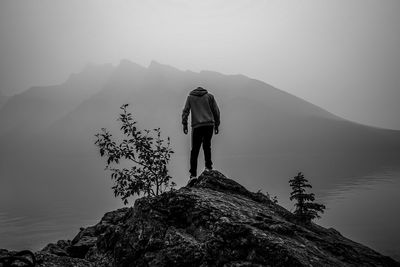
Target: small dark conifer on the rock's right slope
x: 306, y: 209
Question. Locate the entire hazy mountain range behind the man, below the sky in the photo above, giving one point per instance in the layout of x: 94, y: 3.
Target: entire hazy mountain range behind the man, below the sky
x: 266, y: 135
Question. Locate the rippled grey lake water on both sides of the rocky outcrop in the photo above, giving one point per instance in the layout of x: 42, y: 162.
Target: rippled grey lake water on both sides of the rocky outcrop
x: 365, y: 210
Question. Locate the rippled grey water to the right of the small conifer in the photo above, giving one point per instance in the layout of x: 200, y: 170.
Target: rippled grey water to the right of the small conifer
x: 367, y: 211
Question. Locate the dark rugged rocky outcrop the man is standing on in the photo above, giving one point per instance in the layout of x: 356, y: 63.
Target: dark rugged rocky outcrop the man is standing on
x: 215, y: 222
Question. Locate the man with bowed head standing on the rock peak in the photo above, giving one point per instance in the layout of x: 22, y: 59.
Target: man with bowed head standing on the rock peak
x: 204, y: 121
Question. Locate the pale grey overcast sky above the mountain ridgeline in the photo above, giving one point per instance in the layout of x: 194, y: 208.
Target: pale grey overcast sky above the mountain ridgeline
x: 342, y: 55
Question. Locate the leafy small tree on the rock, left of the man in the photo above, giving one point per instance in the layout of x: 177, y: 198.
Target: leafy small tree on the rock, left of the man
x: 148, y: 152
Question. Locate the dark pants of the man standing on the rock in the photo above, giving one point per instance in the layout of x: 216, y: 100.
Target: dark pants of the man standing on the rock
x: 201, y: 135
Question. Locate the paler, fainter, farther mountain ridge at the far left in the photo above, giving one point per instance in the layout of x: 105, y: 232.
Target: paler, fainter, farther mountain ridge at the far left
x: 36, y: 108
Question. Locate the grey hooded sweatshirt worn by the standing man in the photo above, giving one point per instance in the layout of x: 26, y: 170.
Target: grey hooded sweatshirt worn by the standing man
x: 204, y: 109
